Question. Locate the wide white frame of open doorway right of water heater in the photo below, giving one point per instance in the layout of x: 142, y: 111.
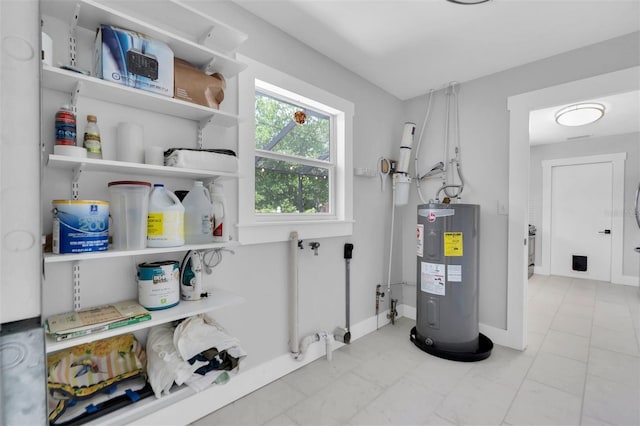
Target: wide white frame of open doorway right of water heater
x: 519, y: 107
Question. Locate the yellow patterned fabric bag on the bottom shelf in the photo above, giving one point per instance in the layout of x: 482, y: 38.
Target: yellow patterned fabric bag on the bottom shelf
x: 83, y: 371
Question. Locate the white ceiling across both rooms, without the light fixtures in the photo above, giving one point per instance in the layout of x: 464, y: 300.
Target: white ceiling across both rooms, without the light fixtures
x: 408, y: 47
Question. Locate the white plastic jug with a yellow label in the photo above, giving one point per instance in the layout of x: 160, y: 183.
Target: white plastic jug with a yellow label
x: 165, y: 221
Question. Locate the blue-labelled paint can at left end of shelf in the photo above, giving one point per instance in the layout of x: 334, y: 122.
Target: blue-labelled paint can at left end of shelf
x: 80, y: 226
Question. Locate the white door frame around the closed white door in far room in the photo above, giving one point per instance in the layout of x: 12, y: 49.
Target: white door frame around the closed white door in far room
x: 617, y: 205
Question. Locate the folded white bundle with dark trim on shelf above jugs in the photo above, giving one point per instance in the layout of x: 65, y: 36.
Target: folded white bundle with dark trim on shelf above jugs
x: 218, y: 160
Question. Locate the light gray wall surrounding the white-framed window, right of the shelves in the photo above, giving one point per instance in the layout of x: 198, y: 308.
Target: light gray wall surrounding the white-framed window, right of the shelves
x: 259, y: 272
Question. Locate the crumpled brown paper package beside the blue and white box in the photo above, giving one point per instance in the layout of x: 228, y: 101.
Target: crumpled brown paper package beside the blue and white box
x: 193, y: 85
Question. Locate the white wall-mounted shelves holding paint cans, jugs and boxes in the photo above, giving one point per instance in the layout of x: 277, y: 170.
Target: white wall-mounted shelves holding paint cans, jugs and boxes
x: 196, y: 38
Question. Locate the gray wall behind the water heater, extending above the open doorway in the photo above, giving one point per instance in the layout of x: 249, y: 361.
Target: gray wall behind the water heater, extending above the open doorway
x: 484, y: 131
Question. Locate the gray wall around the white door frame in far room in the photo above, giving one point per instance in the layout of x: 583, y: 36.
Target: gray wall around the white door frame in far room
x: 629, y: 143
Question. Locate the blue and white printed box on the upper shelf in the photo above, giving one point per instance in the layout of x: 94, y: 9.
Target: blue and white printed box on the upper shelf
x: 134, y: 60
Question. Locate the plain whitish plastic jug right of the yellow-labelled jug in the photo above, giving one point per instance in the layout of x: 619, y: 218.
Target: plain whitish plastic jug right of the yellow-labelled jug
x: 198, y: 221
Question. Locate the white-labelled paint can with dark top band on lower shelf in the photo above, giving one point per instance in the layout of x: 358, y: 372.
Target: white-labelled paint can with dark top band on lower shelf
x: 159, y: 284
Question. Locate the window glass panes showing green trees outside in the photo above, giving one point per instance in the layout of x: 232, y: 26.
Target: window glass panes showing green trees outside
x: 293, y: 160
